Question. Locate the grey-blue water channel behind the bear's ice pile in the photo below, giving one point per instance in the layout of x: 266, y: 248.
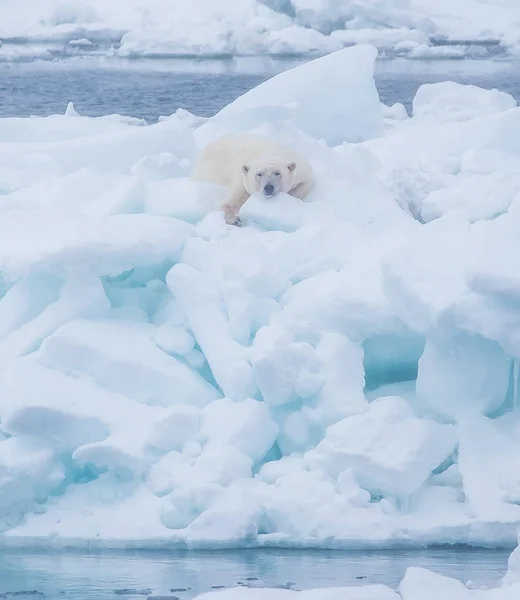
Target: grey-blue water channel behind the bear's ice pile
x: 149, y: 89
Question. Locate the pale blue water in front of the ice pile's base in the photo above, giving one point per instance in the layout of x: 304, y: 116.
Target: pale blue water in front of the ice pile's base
x: 107, y: 575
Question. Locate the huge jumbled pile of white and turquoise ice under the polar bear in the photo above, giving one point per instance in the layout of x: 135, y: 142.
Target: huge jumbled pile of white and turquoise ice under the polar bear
x: 342, y: 372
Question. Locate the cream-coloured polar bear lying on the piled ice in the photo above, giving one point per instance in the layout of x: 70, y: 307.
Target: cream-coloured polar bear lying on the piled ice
x: 247, y: 164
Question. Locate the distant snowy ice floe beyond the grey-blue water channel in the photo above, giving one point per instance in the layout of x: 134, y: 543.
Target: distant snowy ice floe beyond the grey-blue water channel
x: 153, y: 28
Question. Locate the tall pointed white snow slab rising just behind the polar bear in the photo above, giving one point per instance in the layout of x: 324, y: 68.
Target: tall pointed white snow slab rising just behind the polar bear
x: 287, y: 97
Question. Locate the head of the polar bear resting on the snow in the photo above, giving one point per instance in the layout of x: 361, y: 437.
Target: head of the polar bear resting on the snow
x: 268, y: 176
